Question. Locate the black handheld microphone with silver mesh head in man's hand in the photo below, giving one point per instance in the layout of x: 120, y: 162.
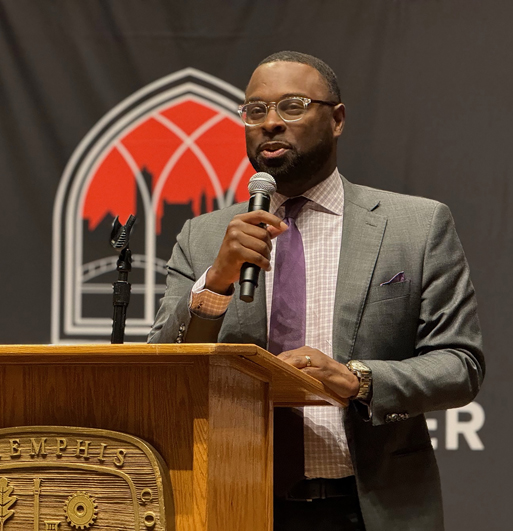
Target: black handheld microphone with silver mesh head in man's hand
x: 261, y: 187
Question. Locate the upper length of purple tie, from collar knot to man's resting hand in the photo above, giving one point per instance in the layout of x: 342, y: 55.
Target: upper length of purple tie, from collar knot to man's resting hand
x: 288, y: 309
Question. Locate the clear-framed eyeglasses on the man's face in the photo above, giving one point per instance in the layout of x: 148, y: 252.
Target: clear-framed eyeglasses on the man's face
x: 288, y: 109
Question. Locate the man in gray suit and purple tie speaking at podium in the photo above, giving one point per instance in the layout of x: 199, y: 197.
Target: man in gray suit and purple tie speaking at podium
x: 387, y: 292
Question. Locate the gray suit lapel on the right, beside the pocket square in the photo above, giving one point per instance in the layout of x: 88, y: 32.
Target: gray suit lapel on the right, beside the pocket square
x: 362, y: 234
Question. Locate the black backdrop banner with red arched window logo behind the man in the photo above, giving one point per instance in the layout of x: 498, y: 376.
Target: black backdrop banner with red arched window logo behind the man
x: 116, y: 107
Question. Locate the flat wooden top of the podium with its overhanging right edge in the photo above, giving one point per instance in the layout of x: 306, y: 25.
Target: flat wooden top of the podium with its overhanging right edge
x: 290, y: 386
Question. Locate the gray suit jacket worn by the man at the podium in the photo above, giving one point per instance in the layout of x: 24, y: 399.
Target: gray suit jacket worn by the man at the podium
x: 420, y: 337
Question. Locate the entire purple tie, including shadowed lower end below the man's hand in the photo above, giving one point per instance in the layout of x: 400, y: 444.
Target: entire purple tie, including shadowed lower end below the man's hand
x: 286, y: 332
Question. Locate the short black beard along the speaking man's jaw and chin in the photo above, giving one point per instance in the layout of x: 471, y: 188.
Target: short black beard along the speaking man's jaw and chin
x: 295, y: 167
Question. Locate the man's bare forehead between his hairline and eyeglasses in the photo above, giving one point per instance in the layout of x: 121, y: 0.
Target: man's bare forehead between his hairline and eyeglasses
x: 274, y: 80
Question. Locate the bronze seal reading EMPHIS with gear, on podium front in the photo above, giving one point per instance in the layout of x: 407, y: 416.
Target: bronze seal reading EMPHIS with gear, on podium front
x: 60, y: 478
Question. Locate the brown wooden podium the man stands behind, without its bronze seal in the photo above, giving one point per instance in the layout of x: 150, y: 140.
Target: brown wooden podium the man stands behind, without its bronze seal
x: 206, y: 408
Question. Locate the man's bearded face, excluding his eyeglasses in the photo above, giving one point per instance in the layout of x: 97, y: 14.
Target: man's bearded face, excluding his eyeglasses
x: 298, y: 154
